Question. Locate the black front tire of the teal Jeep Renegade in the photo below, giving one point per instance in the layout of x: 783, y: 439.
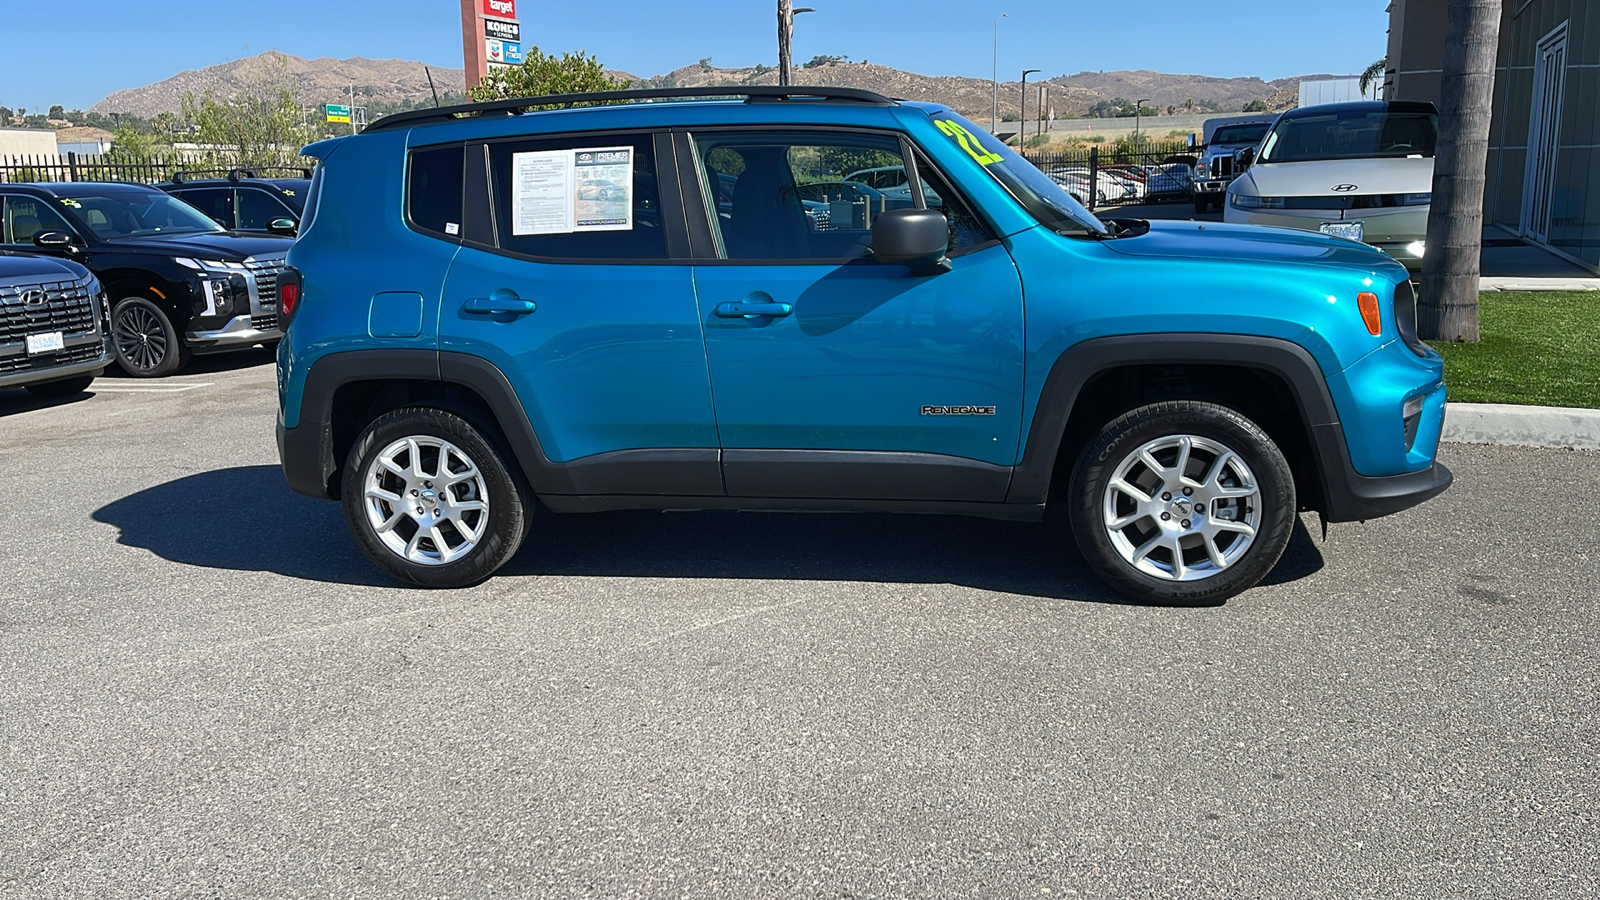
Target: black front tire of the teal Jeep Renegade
x: 1094, y: 504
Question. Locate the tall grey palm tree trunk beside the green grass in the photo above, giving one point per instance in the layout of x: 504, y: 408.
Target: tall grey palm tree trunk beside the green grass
x: 1449, y: 307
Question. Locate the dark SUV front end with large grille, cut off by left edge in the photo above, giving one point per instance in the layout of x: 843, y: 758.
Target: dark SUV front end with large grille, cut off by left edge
x: 54, y: 326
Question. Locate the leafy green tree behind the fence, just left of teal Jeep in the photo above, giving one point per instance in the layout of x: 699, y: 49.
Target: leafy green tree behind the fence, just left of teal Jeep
x: 258, y: 124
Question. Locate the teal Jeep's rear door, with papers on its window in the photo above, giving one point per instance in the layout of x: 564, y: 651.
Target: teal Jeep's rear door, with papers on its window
x: 567, y: 283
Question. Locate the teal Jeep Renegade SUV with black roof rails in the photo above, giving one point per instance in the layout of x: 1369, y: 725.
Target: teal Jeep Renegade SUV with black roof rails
x: 678, y: 300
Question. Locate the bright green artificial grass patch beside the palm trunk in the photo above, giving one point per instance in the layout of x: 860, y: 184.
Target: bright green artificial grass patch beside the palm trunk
x: 1537, y: 348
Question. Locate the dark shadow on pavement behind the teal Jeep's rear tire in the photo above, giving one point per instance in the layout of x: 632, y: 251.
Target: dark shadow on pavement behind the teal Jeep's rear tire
x: 244, y: 520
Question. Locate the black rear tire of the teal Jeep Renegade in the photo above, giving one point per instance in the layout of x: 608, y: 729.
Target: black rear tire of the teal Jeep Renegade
x: 502, y: 529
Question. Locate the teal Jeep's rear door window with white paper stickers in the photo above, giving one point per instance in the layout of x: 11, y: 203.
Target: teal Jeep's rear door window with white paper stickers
x: 586, y: 198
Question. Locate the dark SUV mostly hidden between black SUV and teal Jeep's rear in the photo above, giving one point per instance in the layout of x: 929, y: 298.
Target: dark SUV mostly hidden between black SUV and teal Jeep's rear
x: 242, y: 201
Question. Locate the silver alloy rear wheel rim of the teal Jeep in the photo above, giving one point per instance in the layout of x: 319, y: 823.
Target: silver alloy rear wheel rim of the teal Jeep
x: 426, y: 500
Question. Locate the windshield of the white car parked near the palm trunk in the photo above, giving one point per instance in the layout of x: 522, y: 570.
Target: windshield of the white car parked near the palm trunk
x: 1351, y: 135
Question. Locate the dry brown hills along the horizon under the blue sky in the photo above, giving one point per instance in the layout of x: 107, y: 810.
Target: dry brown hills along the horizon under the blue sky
x: 404, y: 84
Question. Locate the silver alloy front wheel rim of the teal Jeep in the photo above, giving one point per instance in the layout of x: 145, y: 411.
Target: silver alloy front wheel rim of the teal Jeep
x: 1182, y: 508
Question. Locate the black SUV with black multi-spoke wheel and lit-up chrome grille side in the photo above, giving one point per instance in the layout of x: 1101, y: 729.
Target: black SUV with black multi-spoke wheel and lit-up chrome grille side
x: 178, y: 283
